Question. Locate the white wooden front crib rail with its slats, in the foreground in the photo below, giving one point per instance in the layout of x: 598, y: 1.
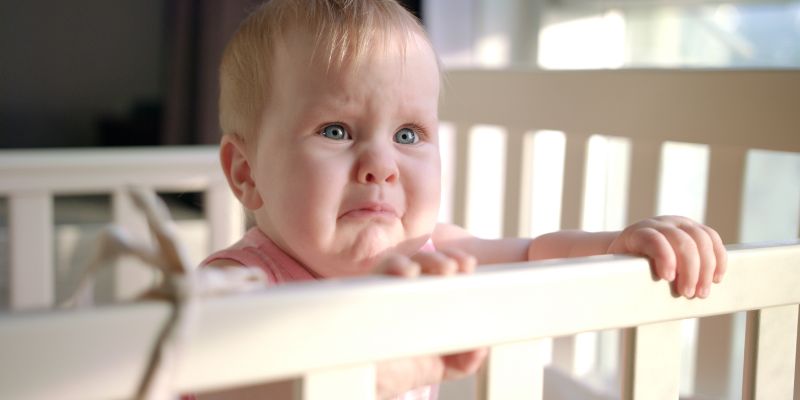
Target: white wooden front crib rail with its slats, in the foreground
x: 331, y: 332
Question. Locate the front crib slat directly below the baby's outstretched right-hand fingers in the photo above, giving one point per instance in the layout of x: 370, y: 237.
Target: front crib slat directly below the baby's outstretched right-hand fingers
x: 652, y: 361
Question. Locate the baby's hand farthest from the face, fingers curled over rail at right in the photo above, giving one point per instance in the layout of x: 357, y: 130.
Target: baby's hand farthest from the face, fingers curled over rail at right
x: 682, y: 251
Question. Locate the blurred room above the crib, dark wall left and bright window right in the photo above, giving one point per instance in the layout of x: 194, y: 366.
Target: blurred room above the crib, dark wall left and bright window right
x: 144, y: 72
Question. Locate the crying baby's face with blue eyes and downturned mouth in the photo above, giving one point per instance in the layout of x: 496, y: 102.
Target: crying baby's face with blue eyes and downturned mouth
x: 347, y: 160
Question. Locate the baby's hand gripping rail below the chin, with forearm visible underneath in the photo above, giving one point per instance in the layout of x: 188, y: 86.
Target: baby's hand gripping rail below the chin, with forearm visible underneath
x: 398, y: 376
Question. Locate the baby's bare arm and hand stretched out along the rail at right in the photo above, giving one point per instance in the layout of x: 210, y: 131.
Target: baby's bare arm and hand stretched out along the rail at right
x: 682, y: 251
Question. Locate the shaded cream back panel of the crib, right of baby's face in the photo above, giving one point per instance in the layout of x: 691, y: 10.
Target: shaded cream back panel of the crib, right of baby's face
x: 730, y: 111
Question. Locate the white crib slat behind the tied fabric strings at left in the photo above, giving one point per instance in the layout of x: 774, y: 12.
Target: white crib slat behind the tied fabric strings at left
x: 131, y: 276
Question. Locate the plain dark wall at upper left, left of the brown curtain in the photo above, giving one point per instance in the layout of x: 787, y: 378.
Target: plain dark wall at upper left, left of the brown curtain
x: 68, y: 67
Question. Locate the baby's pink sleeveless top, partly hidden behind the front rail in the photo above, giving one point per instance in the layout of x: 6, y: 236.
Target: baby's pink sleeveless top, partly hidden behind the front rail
x: 256, y: 250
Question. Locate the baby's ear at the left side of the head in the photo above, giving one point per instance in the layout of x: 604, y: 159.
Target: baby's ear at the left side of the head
x: 236, y: 167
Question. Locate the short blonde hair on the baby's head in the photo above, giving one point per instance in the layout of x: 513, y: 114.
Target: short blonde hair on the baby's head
x: 344, y: 31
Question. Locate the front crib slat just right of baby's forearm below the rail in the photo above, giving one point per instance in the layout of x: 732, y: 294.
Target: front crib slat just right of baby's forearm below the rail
x: 513, y: 371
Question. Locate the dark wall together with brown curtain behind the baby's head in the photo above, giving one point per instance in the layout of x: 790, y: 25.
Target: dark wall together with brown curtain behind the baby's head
x: 114, y: 73
